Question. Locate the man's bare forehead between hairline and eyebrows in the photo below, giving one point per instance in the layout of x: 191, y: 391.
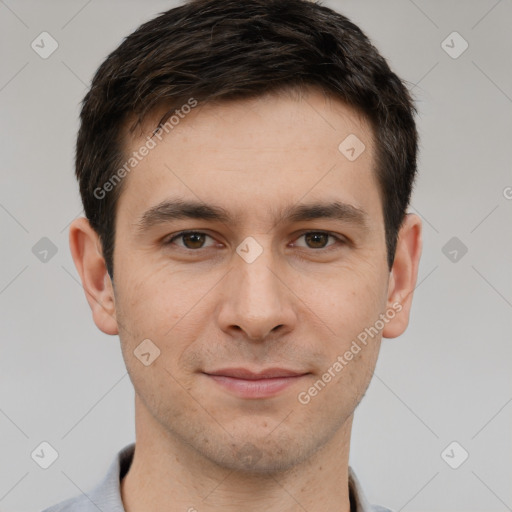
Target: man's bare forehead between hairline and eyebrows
x: 251, y: 157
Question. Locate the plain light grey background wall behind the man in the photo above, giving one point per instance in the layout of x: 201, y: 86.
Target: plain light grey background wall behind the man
x: 446, y: 379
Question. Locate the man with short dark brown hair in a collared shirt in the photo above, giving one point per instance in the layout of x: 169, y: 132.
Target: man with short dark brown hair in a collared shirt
x: 245, y: 169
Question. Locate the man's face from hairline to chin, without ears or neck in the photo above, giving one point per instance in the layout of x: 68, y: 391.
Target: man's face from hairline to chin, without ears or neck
x: 261, y: 284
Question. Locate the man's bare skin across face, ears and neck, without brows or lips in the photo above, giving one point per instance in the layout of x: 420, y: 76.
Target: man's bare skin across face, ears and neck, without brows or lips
x: 299, y: 305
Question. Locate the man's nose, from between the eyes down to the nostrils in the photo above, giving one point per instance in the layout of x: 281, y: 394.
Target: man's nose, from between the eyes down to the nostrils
x: 257, y: 300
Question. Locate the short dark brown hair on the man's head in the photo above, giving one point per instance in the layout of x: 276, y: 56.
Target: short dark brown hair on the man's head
x: 227, y: 49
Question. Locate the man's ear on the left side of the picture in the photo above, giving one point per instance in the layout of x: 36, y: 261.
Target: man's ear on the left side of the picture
x: 87, y: 254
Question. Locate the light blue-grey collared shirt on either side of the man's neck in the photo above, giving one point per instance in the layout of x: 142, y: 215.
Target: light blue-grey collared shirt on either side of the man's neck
x: 106, y: 496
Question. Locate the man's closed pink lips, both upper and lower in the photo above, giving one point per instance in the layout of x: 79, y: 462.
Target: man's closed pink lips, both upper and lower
x: 262, y: 384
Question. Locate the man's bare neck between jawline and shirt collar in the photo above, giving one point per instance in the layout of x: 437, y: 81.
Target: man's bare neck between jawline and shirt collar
x: 168, y: 475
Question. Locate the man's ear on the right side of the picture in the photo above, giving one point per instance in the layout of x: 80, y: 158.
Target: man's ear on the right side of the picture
x: 403, y: 275
